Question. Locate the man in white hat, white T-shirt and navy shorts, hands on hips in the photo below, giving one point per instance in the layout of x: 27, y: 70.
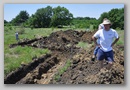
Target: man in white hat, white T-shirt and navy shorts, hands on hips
x: 106, y: 42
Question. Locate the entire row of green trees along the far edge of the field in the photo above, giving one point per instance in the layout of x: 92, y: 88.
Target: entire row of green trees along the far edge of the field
x: 60, y: 16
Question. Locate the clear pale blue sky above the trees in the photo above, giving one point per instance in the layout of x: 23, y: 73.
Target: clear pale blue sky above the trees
x: 78, y: 10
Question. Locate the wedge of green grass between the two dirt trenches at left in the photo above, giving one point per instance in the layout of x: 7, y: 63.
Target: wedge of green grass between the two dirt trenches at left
x: 15, y: 56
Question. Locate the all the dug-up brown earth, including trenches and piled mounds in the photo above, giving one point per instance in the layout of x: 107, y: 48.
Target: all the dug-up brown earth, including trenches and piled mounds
x: 63, y: 46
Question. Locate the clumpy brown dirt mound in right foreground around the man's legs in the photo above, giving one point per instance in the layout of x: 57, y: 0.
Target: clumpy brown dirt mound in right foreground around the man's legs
x: 82, y: 71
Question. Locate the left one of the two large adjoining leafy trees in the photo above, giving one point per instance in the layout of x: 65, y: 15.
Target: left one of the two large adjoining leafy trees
x: 41, y: 18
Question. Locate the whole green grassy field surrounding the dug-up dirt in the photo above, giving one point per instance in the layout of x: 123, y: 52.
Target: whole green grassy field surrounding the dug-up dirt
x: 13, y: 57
